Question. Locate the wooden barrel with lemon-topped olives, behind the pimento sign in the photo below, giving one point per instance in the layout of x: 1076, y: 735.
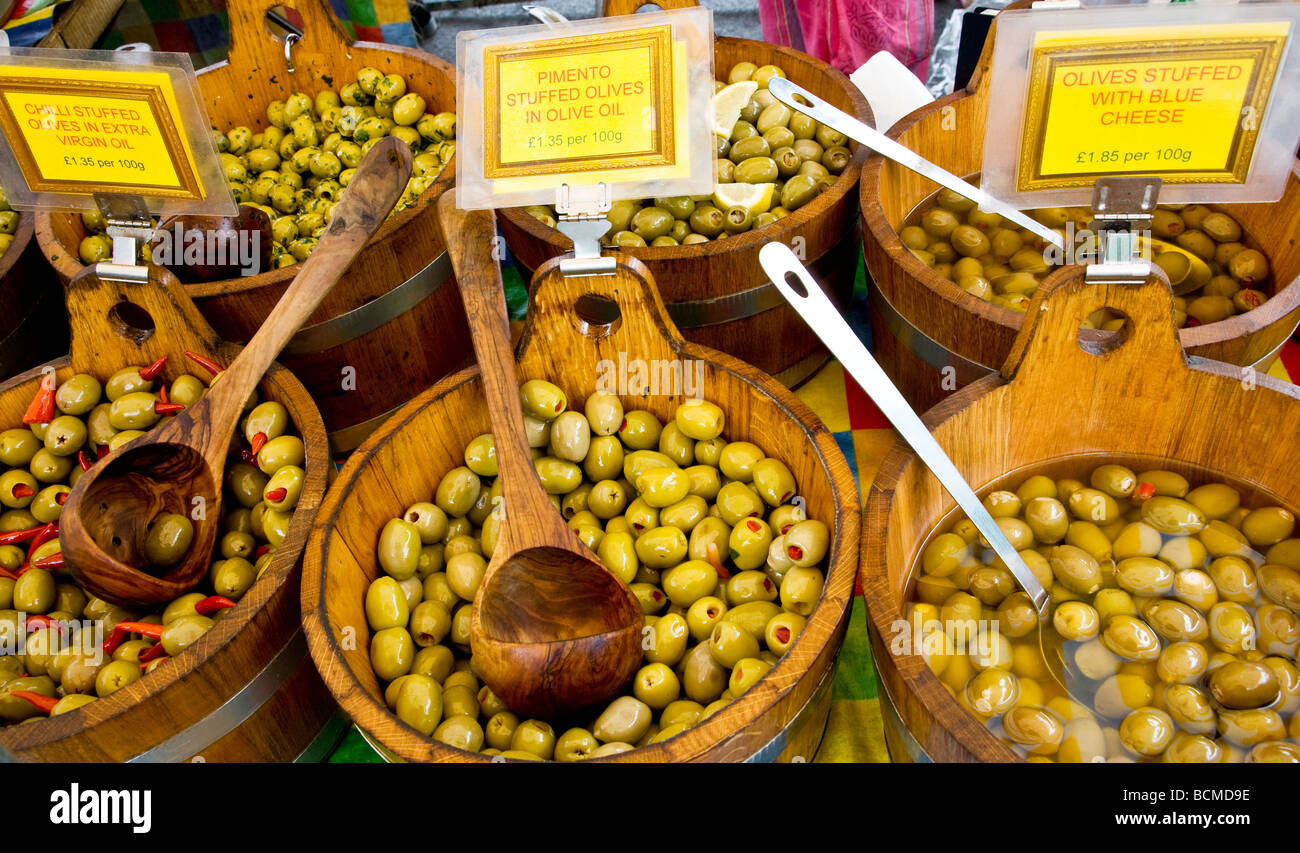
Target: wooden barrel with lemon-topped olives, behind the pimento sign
x: 717, y: 292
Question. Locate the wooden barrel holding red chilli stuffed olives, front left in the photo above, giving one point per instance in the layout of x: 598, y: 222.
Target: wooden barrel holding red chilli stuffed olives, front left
x: 246, y: 691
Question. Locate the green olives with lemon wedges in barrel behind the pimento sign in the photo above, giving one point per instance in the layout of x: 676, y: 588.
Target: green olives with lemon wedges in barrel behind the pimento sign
x: 790, y: 155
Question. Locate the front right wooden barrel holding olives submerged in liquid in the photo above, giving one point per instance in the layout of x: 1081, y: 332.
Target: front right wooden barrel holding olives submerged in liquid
x: 1138, y: 404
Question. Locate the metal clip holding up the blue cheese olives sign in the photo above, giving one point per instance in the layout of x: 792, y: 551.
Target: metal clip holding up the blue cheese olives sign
x: 1121, y: 207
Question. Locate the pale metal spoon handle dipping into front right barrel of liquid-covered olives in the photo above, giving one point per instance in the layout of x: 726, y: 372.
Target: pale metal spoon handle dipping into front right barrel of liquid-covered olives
x: 799, y: 288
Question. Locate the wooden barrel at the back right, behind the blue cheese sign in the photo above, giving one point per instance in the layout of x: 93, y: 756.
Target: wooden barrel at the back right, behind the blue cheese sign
x: 934, y: 339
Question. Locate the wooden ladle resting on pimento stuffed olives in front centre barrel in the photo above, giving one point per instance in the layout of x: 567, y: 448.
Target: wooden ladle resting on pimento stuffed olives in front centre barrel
x: 553, y: 630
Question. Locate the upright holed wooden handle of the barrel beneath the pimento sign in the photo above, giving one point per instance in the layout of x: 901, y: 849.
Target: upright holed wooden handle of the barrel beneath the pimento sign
x: 553, y: 331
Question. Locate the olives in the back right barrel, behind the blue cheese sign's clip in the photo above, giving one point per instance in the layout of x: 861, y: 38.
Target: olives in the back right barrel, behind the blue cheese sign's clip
x: 1002, y: 263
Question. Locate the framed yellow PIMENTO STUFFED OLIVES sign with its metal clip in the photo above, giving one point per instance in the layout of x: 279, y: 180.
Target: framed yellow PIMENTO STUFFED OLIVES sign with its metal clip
x: 579, y: 114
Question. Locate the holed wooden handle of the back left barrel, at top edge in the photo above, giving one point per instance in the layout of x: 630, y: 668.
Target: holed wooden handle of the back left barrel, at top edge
x: 253, y: 46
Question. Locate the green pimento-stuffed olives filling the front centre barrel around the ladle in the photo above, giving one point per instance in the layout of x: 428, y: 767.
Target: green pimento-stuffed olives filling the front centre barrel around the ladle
x: 708, y: 534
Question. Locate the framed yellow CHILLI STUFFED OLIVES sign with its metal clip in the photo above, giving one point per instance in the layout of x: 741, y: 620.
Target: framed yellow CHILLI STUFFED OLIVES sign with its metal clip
x: 119, y: 132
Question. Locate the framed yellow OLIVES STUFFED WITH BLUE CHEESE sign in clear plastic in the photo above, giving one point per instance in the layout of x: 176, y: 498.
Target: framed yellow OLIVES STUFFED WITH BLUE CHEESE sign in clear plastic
x: 1206, y: 98
